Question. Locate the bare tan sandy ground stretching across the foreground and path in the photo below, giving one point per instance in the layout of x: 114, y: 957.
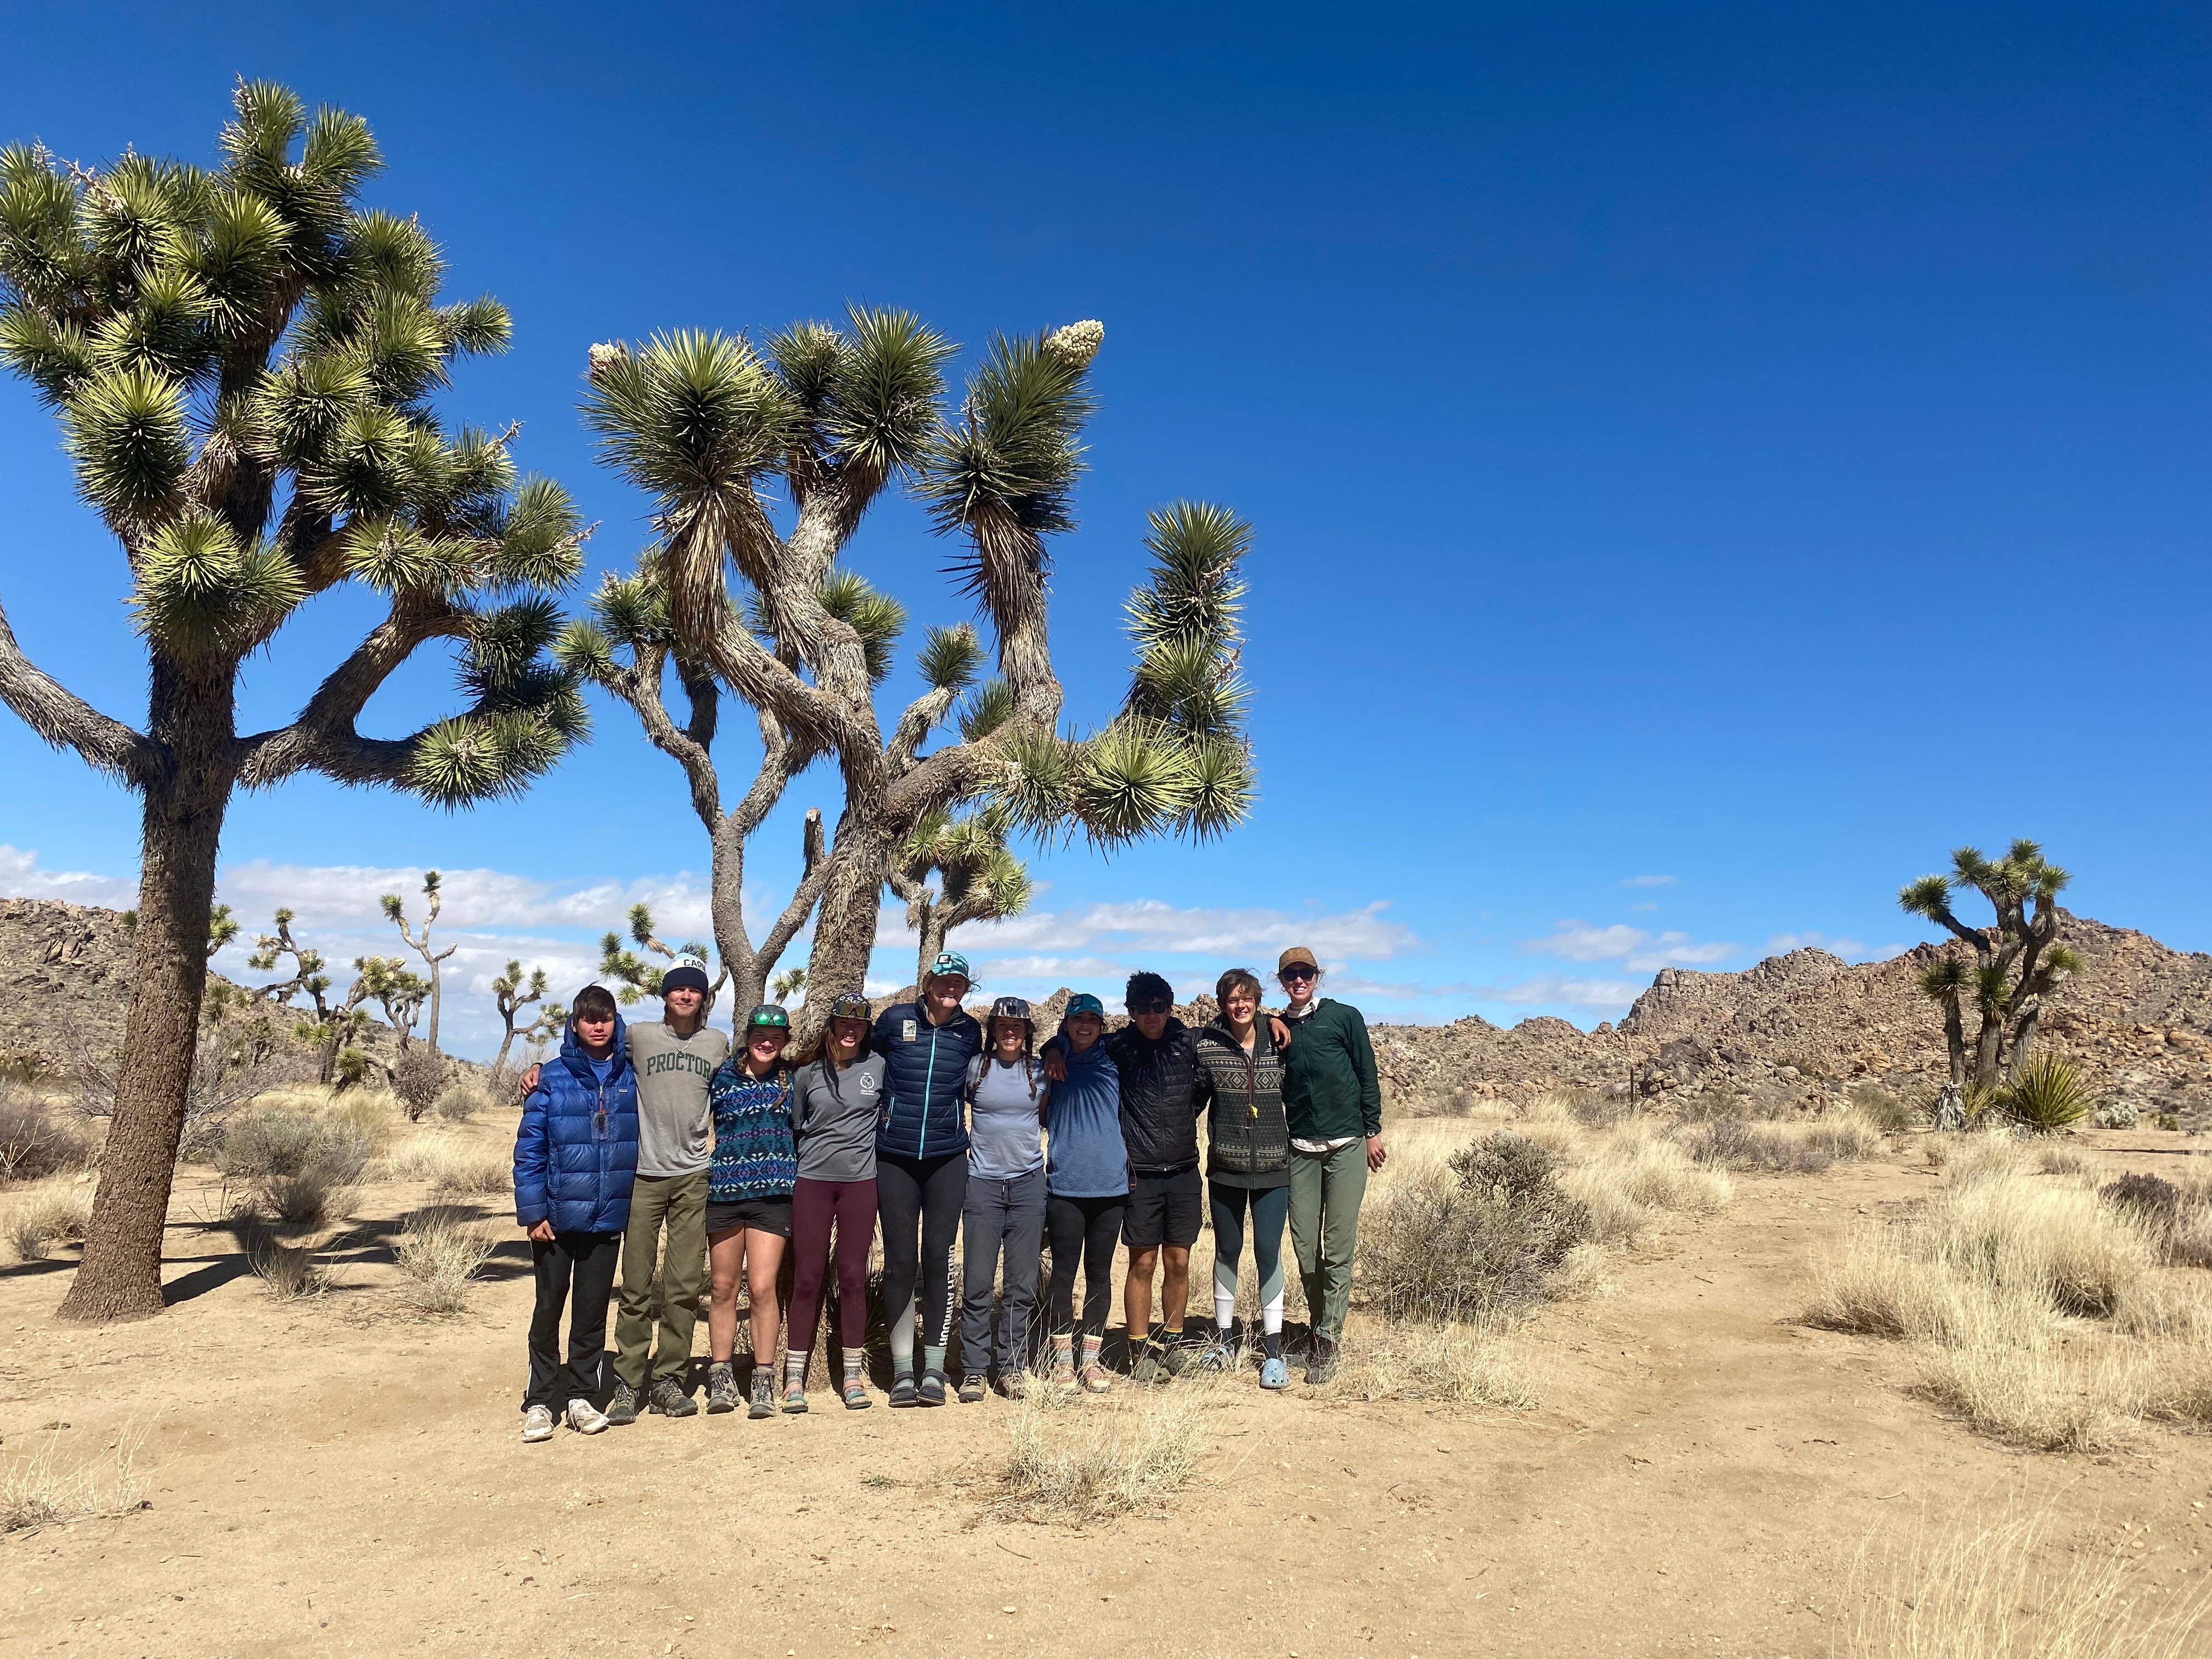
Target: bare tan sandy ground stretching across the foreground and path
x: 344, y: 1481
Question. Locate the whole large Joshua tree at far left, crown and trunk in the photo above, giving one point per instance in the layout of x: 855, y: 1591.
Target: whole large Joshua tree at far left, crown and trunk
x: 244, y: 364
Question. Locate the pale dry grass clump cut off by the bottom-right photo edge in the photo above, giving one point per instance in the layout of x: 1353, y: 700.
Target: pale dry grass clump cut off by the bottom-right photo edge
x: 2001, y: 1592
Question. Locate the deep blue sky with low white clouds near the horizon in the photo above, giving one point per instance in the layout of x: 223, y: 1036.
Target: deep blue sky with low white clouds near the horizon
x: 1704, y: 461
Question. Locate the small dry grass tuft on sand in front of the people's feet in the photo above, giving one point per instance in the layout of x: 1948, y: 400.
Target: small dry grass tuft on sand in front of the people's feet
x: 1078, y: 1461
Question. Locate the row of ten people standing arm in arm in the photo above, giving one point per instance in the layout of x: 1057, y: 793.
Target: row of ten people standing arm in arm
x: 678, y: 1156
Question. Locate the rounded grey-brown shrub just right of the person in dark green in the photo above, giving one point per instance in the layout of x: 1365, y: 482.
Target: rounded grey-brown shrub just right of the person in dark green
x: 1481, y: 1235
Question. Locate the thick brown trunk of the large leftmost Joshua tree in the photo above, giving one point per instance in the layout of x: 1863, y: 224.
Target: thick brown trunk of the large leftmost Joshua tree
x: 169, y: 970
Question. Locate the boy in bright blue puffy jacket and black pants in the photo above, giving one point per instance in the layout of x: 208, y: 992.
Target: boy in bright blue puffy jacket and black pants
x: 576, y: 1158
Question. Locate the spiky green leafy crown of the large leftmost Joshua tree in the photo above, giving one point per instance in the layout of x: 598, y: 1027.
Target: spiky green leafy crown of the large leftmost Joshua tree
x: 229, y: 342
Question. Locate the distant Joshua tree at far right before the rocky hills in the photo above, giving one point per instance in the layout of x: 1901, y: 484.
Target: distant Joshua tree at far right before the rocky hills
x: 2016, y: 963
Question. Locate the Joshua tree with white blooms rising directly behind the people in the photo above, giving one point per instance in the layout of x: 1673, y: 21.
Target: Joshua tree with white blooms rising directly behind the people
x: 835, y: 415
